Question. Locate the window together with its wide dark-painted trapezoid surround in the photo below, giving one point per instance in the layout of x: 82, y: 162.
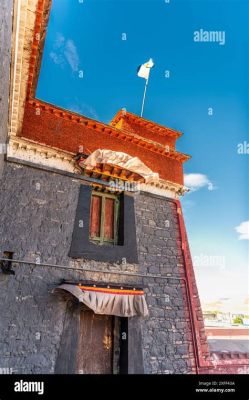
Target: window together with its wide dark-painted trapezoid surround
x: 86, y: 236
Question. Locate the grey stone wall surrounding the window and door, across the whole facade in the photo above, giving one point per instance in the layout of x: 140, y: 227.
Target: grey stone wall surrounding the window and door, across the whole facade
x: 37, y: 211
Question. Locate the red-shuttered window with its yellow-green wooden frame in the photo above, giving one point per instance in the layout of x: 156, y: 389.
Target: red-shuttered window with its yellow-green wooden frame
x: 104, y: 218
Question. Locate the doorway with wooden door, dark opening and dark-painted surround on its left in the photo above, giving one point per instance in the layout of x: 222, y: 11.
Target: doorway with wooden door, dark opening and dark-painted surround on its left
x: 92, y: 343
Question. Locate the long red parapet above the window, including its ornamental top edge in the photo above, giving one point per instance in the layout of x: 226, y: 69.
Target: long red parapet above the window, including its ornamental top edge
x: 61, y: 129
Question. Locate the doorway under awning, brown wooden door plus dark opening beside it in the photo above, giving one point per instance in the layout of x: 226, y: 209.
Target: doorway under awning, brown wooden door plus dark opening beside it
x: 102, y: 345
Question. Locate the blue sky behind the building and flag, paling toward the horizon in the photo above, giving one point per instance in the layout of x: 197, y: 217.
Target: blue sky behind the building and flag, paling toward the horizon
x: 87, y: 67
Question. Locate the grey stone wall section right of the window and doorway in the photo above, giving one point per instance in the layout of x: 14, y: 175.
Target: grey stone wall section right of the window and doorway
x: 166, y: 333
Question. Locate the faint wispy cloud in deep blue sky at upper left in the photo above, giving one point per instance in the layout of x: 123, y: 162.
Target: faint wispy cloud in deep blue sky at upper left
x: 64, y: 52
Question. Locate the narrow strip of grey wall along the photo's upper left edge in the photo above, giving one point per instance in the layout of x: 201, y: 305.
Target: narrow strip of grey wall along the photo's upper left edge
x: 5, y: 56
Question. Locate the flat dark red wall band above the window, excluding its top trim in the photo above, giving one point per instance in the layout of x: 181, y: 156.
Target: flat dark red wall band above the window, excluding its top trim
x: 65, y: 134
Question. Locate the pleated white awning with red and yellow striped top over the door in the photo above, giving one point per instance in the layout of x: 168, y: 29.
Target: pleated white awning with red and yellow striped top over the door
x: 120, y: 302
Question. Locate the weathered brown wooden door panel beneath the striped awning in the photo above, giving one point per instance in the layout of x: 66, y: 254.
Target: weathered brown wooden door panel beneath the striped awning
x: 95, y: 346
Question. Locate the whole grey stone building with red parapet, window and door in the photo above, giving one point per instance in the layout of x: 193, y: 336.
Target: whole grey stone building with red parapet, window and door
x: 101, y: 279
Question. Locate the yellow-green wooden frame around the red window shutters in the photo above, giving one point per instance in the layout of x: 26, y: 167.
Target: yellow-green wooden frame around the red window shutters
x: 101, y: 239
